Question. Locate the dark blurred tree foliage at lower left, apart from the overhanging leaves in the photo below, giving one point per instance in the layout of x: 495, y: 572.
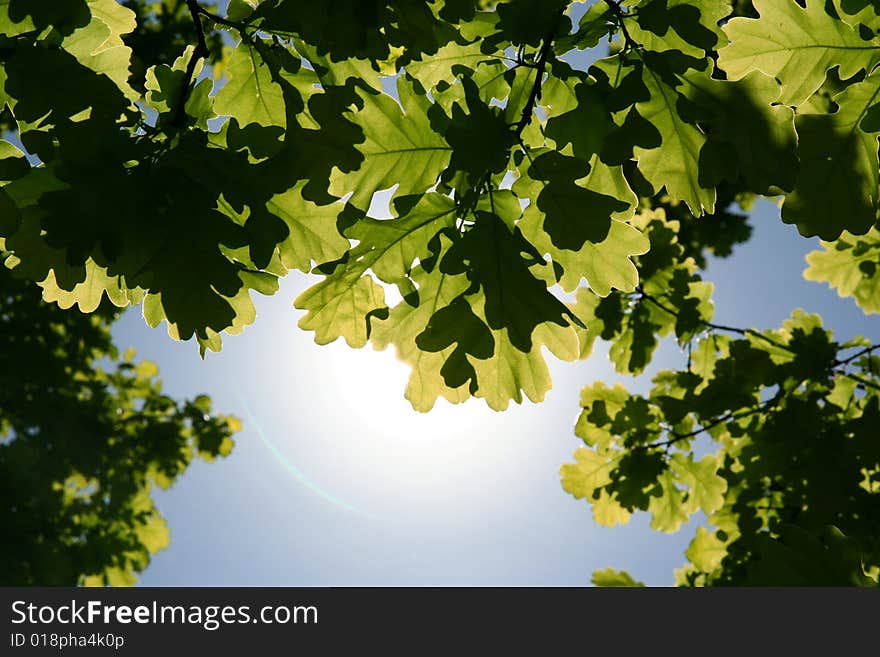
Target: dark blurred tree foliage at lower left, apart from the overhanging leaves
x: 85, y: 434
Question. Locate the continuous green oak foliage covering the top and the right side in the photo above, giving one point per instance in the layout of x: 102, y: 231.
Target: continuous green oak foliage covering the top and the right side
x: 535, y: 204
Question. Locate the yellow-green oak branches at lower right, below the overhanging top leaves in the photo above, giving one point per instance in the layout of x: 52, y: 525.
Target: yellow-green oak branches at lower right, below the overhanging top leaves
x: 772, y: 435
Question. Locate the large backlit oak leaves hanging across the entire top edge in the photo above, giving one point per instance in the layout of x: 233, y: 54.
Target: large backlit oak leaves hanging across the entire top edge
x: 513, y: 176
